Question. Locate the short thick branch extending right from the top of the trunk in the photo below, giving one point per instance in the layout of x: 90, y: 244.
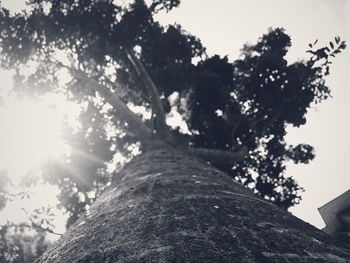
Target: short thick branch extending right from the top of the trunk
x: 219, y: 157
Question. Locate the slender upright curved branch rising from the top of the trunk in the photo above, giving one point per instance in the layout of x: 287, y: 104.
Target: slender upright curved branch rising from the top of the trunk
x: 157, y: 108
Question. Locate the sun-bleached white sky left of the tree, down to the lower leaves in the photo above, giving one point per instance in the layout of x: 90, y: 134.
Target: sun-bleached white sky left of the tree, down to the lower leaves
x: 30, y: 134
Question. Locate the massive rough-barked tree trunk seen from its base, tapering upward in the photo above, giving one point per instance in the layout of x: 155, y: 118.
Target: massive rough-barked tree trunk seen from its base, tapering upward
x: 166, y: 206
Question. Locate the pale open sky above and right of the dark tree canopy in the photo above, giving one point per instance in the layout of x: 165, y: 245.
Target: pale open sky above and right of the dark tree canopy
x: 225, y: 25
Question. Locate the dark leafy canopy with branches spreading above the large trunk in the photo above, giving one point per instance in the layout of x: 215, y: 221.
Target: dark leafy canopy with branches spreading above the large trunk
x: 116, y: 58
